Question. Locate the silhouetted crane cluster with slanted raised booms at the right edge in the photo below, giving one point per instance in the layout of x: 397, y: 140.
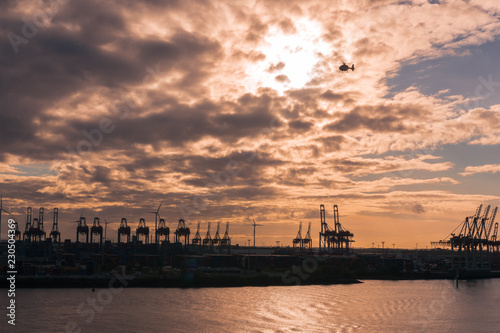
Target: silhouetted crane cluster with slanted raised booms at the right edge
x: 475, y: 241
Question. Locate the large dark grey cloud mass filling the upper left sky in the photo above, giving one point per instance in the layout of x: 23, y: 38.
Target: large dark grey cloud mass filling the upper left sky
x: 60, y: 62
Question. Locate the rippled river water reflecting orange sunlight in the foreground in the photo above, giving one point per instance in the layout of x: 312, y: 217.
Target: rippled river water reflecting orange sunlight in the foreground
x: 372, y: 306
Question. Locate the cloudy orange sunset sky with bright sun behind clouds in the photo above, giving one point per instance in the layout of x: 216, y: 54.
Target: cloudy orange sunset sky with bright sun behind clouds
x: 229, y: 111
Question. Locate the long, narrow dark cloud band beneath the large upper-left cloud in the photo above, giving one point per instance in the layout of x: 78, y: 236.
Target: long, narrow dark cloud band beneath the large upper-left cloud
x: 178, y: 124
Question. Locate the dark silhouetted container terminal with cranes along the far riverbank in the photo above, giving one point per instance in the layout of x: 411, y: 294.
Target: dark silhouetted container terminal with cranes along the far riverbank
x: 153, y: 256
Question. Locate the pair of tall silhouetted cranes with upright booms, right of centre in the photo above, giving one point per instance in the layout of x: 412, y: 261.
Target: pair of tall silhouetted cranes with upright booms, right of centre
x: 333, y: 241
